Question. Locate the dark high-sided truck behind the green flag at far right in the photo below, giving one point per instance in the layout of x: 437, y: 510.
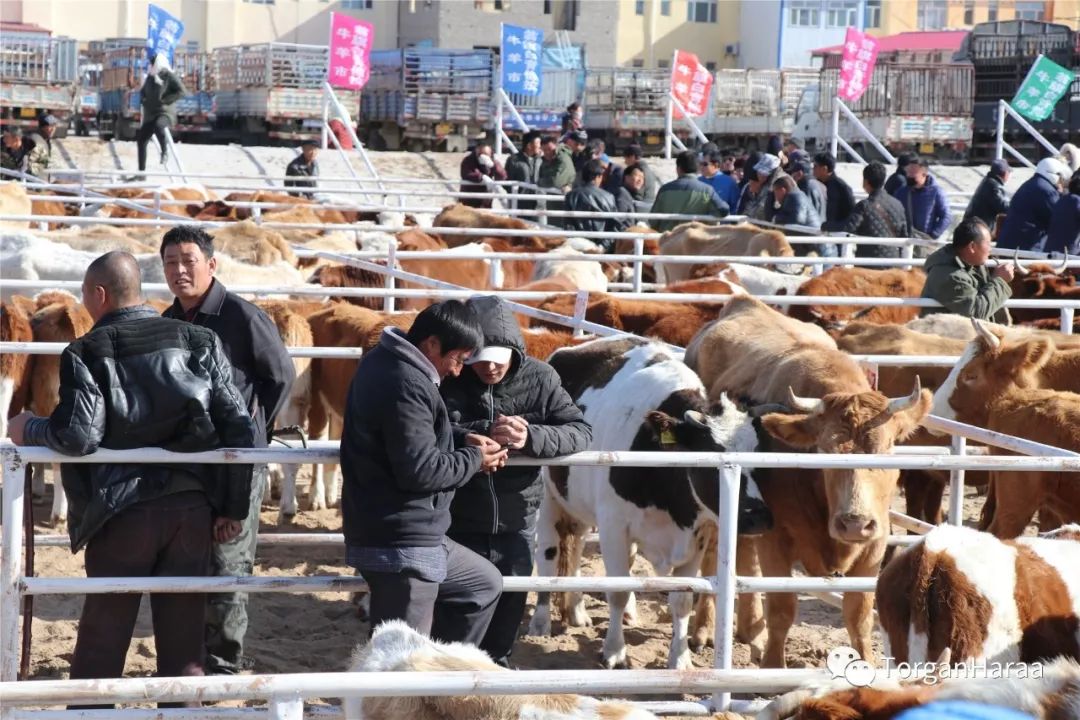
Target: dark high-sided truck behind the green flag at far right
x: 1003, y: 53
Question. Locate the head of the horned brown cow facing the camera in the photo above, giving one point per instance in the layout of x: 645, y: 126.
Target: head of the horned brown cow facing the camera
x: 849, y: 424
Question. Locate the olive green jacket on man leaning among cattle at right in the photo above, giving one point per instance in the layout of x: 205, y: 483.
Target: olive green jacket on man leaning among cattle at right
x: 965, y: 290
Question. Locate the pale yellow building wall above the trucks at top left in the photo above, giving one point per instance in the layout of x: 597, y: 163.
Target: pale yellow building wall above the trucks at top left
x: 212, y: 23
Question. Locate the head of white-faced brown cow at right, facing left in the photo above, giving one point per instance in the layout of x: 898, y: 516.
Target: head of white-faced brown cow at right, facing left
x: 990, y: 368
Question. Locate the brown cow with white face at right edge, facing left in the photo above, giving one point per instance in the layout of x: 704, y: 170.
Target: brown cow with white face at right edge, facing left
x: 997, y: 385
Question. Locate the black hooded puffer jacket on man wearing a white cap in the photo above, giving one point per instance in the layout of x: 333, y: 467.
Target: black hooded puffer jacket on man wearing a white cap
x: 506, y: 501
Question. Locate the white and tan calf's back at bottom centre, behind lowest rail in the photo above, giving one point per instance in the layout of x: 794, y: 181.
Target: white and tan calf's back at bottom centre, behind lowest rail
x: 397, y: 648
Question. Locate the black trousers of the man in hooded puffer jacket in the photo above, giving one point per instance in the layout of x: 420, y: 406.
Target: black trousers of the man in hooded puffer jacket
x: 512, y: 554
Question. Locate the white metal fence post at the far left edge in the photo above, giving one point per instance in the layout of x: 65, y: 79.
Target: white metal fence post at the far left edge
x: 11, y: 565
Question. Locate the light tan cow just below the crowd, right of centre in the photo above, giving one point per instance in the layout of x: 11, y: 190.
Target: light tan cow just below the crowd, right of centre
x: 700, y: 239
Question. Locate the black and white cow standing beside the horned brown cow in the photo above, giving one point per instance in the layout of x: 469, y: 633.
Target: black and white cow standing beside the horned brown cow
x: 638, y: 397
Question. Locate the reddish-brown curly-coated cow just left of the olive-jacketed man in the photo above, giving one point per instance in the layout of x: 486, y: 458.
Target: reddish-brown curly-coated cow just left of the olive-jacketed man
x: 860, y: 282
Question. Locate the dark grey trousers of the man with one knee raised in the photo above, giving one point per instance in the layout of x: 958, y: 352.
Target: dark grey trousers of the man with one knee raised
x: 458, y: 609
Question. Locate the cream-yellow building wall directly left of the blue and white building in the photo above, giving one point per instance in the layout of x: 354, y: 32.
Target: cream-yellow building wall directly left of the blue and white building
x: 653, y: 37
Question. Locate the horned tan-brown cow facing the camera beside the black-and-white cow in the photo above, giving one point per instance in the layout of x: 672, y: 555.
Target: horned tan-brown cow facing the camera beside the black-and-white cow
x: 834, y: 521
